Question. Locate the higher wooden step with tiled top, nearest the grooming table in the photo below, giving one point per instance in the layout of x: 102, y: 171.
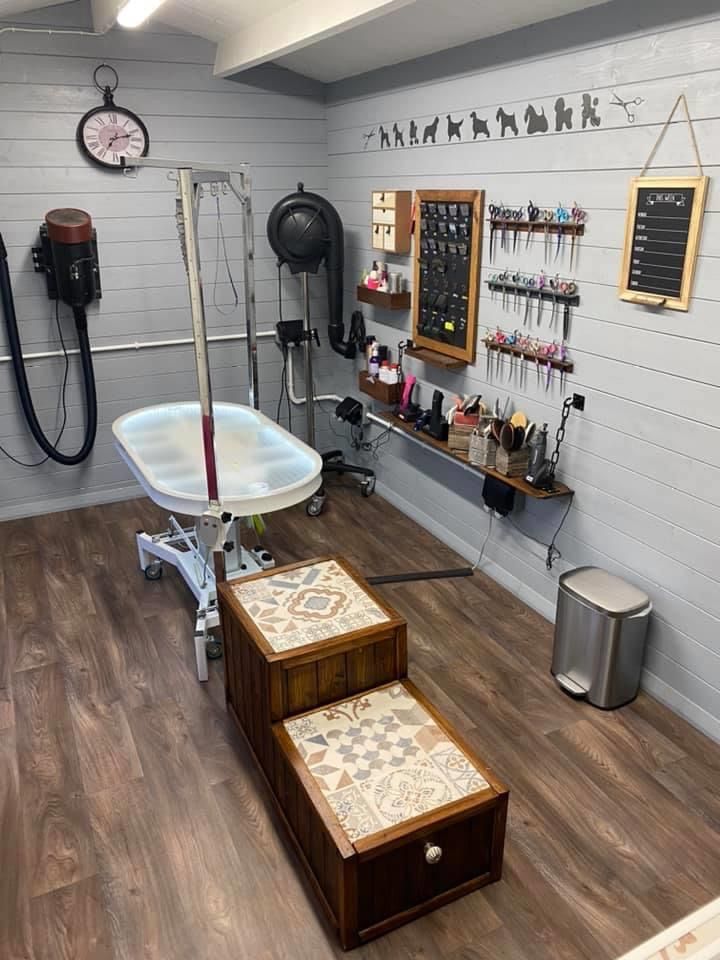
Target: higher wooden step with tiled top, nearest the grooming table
x: 301, y: 636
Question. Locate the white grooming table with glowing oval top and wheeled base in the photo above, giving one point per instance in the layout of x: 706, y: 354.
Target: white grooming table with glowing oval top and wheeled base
x: 260, y: 467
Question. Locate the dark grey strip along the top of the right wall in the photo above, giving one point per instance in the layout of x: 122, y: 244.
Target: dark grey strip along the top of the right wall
x: 599, y: 24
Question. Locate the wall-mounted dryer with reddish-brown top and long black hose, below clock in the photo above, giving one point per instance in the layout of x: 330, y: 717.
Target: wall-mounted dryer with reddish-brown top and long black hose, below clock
x: 68, y: 257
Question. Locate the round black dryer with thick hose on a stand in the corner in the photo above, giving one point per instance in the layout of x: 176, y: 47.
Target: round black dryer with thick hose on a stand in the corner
x: 304, y: 229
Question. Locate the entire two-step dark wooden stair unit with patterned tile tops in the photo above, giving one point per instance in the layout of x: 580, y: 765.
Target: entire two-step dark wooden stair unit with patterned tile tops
x: 391, y: 814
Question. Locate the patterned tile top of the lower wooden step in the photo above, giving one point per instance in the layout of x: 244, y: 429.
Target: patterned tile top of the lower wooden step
x: 381, y: 759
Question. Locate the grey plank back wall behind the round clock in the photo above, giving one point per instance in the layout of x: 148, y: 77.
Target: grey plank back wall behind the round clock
x: 45, y: 87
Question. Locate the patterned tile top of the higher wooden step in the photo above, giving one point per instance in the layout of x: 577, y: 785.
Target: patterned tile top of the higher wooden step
x: 308, y: 604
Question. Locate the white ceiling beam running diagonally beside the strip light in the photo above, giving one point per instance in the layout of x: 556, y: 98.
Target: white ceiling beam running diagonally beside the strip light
x: 293, y: 28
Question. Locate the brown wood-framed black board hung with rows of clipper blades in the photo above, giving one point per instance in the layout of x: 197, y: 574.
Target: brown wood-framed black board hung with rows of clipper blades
x: 448, y: 230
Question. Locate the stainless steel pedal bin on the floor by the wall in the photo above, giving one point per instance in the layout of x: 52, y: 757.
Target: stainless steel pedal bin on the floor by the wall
x: 600, y: 631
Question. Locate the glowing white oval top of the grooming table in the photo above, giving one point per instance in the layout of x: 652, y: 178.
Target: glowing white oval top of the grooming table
x: 261, y: 467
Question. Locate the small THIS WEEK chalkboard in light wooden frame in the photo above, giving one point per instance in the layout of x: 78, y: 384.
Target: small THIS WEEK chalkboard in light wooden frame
x: 662, y: 235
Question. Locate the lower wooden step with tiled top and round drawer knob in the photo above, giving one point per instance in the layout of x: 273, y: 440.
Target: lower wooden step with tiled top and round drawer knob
x: 392, y: 816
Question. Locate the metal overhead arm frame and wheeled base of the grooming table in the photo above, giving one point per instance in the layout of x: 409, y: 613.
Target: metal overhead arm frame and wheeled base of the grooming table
x: 216, y: 532
